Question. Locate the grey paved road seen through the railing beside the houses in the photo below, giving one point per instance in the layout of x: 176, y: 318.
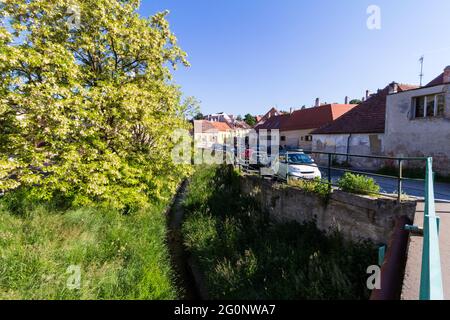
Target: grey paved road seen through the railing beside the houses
x: 412, y: 188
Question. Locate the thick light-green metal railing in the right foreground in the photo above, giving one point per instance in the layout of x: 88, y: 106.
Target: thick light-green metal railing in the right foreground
x: 431, y: 275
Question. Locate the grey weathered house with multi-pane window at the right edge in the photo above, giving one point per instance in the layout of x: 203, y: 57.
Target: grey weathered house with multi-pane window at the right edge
x: 418, y: 122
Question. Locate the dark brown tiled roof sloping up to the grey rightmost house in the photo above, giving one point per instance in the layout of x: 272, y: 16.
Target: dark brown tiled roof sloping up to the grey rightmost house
x: 367, y: 117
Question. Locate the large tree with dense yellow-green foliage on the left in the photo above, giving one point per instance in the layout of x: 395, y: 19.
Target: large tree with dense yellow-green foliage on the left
x: 88, y: 112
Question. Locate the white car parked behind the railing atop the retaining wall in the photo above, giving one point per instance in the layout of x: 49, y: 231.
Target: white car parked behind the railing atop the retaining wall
x: 297, y: 165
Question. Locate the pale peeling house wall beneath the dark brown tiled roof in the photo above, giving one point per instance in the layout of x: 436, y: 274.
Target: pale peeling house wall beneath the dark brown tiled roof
x: 360, y: 144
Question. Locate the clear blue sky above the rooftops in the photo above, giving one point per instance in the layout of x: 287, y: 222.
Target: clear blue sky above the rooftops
x: 249, y: 55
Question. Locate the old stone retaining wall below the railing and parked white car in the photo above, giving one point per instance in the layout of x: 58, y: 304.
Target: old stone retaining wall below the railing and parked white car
x: 356, y: 217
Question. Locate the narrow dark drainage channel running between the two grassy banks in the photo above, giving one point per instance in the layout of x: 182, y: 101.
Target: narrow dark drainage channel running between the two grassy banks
x: 180, y: 258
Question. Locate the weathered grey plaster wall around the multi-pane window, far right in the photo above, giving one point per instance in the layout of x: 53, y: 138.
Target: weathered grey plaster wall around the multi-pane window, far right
x: 406, y: 136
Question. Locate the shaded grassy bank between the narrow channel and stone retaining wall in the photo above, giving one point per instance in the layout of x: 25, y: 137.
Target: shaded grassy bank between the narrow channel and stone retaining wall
x: 244, y: 255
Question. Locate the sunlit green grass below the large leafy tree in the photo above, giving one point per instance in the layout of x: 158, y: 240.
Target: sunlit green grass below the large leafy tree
x: 120, y: 256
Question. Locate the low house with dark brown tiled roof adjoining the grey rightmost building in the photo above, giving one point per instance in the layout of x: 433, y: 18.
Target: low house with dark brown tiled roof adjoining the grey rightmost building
x: 360, y: 131
